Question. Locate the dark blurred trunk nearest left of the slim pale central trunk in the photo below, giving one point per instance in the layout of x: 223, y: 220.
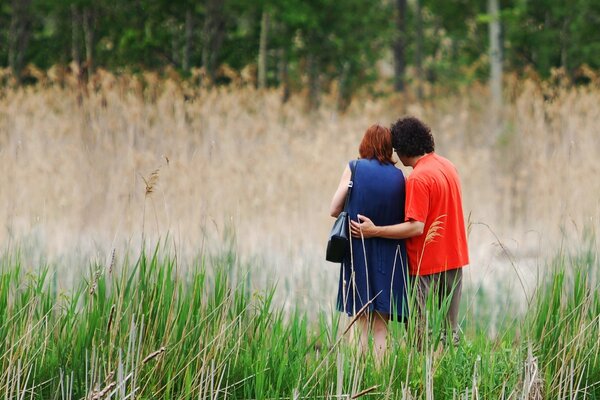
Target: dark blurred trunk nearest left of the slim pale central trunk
x: 213, y: 33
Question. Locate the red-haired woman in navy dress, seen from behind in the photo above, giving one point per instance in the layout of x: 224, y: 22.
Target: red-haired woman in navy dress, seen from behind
x: 375, y: 269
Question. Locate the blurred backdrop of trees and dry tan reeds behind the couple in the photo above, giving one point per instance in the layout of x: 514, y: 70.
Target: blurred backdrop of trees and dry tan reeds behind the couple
x: 214, y: 124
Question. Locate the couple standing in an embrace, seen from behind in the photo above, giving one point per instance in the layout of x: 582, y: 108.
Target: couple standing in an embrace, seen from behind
x: 400, y: 227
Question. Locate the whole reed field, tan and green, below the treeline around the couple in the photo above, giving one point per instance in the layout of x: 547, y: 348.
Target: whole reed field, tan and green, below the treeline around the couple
x: 237, y: 301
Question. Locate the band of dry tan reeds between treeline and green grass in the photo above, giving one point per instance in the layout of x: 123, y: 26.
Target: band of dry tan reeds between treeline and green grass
x: 75, y: 160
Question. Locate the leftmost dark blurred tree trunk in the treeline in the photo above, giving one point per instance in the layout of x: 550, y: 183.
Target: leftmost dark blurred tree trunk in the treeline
x: 18, y: 36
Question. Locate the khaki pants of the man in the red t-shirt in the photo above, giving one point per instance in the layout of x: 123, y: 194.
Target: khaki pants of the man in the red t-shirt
x: 443, y: 284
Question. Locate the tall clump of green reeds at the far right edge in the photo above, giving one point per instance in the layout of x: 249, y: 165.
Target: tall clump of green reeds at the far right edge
x: 563, y: 325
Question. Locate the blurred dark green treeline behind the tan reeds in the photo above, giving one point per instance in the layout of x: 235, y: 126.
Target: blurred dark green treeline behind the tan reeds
x: 305, y: 44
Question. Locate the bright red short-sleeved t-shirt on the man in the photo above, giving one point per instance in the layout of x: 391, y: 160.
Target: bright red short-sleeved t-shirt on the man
x: 433, y: 196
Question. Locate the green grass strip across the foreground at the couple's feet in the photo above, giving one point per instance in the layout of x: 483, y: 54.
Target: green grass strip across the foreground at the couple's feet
x: 154, y: 329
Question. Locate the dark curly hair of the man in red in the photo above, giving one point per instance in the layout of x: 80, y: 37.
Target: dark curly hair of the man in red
x: 411, y: 137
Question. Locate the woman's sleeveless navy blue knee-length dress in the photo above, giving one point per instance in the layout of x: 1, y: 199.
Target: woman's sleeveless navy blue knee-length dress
x: 376, y: 267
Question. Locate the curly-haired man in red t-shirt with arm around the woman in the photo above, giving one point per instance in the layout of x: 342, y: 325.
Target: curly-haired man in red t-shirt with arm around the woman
x: 434, y: 227
